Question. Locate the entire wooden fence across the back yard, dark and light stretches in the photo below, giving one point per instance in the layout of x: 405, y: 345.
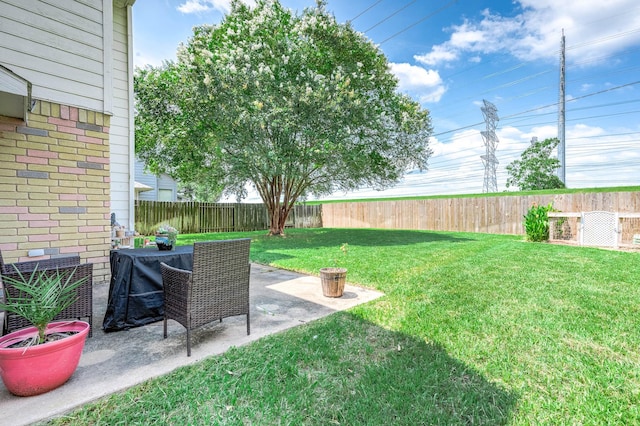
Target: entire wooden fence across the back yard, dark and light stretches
x: 498, y: 215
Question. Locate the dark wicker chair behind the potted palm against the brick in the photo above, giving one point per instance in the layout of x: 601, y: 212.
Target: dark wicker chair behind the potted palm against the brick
x: 81, y: 309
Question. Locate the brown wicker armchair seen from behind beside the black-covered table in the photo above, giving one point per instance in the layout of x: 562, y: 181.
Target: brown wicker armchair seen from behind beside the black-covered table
x: 217, y: 288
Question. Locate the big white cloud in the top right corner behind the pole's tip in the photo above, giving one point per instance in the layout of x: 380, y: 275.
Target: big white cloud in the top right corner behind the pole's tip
x: 594, y: 30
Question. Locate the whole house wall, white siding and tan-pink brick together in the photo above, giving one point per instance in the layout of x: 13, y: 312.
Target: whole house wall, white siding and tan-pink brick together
x: 66, y: 168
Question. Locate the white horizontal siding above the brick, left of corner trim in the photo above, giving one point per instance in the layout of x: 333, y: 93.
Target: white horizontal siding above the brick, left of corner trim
x: 58, y: 46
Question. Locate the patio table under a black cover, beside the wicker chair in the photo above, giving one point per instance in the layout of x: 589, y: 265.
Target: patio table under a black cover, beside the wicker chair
x: 135, y: 293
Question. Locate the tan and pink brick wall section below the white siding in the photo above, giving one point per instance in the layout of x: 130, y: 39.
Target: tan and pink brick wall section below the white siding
x: 54, y: 186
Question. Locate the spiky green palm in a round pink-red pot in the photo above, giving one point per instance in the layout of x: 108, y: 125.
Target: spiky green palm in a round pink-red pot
x: 38, y: 359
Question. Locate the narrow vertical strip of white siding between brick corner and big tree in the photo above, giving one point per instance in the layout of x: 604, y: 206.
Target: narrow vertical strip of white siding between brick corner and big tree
x: 120, y: 133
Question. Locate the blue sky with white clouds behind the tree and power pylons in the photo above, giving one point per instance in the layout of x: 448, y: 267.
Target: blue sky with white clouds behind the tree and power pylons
x: 453, y: 56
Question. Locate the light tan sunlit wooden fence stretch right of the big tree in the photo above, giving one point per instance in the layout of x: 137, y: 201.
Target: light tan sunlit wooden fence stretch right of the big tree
x: 497, y: 215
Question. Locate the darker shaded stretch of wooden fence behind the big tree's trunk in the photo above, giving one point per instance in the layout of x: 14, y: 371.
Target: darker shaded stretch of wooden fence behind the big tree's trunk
x: 195, y: 217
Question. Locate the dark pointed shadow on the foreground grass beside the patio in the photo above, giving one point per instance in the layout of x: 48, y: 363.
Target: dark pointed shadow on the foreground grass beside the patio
x: 345, y: 370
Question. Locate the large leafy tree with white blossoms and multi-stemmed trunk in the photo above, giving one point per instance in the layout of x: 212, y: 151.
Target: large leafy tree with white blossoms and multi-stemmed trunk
x: 295, y: 104
